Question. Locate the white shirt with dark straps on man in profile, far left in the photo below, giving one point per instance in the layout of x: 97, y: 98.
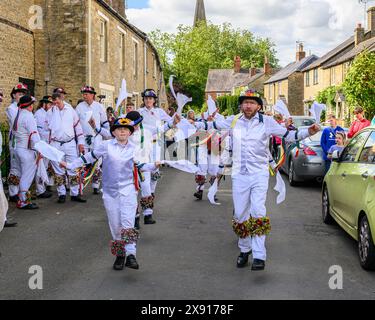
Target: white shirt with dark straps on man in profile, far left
x: 26, y: 133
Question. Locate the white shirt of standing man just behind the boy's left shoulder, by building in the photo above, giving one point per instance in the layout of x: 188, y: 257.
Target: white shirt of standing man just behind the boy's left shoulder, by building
x: 99, y: 115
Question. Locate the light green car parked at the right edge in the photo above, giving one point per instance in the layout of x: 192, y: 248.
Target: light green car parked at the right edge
x: 348, y: 195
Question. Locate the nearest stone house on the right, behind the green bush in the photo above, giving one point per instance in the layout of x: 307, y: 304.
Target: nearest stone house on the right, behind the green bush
x: 331, y: 69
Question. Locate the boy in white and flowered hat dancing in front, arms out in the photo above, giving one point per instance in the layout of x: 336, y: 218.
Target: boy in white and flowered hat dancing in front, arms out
x: 120, y: 188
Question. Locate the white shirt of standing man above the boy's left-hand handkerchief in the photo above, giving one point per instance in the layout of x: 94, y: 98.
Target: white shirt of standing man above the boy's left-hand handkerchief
x: 64, y: 124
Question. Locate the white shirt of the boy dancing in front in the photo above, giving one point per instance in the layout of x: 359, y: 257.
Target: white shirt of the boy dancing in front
x: 118, y: 165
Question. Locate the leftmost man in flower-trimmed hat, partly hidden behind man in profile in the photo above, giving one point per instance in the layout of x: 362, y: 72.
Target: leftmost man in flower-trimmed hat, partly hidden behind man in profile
x: 15, y: 170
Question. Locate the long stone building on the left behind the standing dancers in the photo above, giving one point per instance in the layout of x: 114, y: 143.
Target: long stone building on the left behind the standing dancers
x: 69, y: 43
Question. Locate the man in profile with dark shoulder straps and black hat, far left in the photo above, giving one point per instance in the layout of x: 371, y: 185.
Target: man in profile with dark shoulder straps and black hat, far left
x: 26, y: 136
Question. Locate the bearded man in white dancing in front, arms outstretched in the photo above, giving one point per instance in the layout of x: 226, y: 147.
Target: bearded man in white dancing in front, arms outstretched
x: 250, y: 132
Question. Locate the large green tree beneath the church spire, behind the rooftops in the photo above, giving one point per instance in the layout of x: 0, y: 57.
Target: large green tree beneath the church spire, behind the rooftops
x: 192, y: 51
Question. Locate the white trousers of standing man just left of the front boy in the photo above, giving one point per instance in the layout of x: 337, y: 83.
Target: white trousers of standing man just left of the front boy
x: 71, y: 154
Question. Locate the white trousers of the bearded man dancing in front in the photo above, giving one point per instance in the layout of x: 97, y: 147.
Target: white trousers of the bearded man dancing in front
x: 249, y: 198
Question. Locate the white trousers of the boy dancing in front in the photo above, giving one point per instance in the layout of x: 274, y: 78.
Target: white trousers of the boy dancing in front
x: 121, y: 212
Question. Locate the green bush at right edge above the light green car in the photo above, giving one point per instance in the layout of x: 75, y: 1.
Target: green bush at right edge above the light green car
x: 359, y: 84
